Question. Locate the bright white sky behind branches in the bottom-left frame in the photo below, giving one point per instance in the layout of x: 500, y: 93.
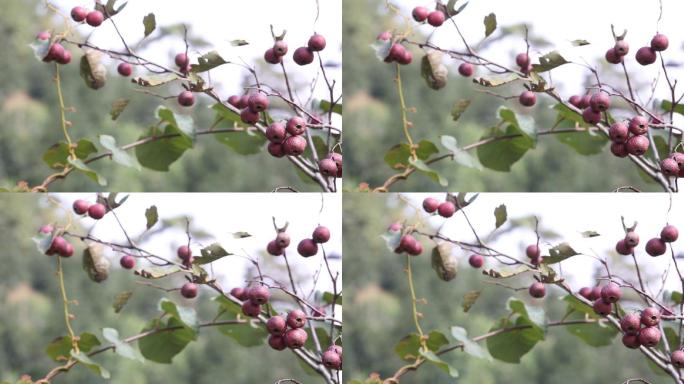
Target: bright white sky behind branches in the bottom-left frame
x: 223, y: 214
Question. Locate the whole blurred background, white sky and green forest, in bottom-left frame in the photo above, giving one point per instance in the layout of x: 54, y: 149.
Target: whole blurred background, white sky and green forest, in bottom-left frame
x: 32, y: 316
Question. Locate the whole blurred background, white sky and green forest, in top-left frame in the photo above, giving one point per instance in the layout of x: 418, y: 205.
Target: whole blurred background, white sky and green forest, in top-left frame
x: 29, y: 122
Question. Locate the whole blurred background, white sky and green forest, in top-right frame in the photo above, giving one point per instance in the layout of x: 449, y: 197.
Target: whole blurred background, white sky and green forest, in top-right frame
x: 372, y: 106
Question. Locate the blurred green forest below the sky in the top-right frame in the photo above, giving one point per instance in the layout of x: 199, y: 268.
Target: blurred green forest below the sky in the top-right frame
x: 372, y: 116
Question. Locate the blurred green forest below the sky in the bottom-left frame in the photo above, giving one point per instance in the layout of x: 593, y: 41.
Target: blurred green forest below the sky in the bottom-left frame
x: 31, y: 316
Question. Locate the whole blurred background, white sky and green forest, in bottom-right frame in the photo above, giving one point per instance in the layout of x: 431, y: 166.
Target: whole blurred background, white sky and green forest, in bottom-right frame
x: 378, y: 312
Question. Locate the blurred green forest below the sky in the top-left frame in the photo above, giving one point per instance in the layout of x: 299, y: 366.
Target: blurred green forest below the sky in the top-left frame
x: 29, y: 123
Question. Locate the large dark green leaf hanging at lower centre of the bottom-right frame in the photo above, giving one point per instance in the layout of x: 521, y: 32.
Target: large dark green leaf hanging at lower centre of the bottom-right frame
x: 512, y: 345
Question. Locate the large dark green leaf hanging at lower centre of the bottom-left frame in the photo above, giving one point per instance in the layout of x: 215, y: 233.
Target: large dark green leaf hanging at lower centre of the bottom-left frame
x: 161, y: 347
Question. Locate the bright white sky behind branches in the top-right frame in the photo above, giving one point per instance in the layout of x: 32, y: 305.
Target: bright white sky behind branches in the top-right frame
x: 563, y: 21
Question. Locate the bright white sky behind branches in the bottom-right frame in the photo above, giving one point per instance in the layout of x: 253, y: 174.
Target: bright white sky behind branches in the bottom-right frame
x: 569, y: 215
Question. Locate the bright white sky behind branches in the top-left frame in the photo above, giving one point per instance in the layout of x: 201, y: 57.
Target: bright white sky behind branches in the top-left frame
x: 220, y: 22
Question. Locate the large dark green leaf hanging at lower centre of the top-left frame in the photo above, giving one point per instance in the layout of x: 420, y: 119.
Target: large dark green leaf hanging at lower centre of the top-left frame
x: 159, y: 154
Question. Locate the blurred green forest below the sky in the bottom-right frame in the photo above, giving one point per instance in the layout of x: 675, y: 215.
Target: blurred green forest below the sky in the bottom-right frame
x: 378, y: 314
